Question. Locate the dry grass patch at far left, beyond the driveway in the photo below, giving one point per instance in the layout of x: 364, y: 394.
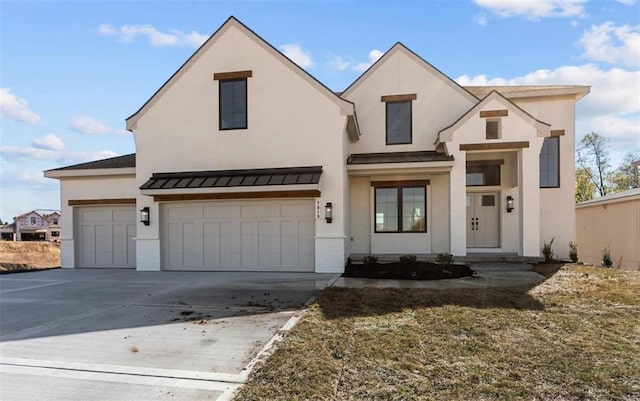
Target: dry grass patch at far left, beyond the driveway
x: 19, y: 255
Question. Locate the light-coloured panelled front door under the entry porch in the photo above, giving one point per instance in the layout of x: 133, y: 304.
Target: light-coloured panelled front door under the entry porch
x: 483, y: 220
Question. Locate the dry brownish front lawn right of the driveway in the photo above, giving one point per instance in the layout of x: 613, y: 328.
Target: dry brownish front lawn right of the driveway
x: 574, y: 337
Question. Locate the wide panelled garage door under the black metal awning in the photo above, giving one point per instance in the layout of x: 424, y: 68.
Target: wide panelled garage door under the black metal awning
x: 240, y: 236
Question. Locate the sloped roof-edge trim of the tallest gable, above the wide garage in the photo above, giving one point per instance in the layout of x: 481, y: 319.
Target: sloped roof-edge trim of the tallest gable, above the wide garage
x: 344, y: 104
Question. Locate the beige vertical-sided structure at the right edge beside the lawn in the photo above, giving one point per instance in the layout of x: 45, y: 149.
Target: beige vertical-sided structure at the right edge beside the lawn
x: 610, y: 221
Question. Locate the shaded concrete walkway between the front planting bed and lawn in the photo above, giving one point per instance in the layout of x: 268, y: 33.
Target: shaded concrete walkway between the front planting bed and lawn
x: 487, y: 275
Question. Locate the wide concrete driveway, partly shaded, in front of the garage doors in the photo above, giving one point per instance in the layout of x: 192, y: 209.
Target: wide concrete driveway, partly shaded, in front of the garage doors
x: 108, y: 334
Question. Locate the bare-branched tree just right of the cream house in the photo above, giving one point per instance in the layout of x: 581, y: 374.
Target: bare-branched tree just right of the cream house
x: 593, y: 157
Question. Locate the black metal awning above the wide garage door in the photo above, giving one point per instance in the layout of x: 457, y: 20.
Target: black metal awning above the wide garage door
x: 234, y: 178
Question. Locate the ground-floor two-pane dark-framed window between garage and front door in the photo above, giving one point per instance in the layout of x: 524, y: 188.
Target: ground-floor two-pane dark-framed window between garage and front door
x: 400, y: 209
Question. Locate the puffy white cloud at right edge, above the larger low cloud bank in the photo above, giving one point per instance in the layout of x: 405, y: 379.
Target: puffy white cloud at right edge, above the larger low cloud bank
x: 612, y: 44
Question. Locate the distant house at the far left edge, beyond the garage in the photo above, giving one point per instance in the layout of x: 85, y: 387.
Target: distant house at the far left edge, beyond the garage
x: 36, y: 225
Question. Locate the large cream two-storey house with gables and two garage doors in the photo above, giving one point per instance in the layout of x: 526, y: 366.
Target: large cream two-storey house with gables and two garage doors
x: 240, y: 153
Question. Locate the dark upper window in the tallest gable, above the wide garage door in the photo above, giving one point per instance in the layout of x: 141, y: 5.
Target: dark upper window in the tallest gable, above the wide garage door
x: 233, y: 104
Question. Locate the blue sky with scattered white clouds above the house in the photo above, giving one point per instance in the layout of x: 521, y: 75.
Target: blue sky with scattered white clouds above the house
x: 71, y: 72
